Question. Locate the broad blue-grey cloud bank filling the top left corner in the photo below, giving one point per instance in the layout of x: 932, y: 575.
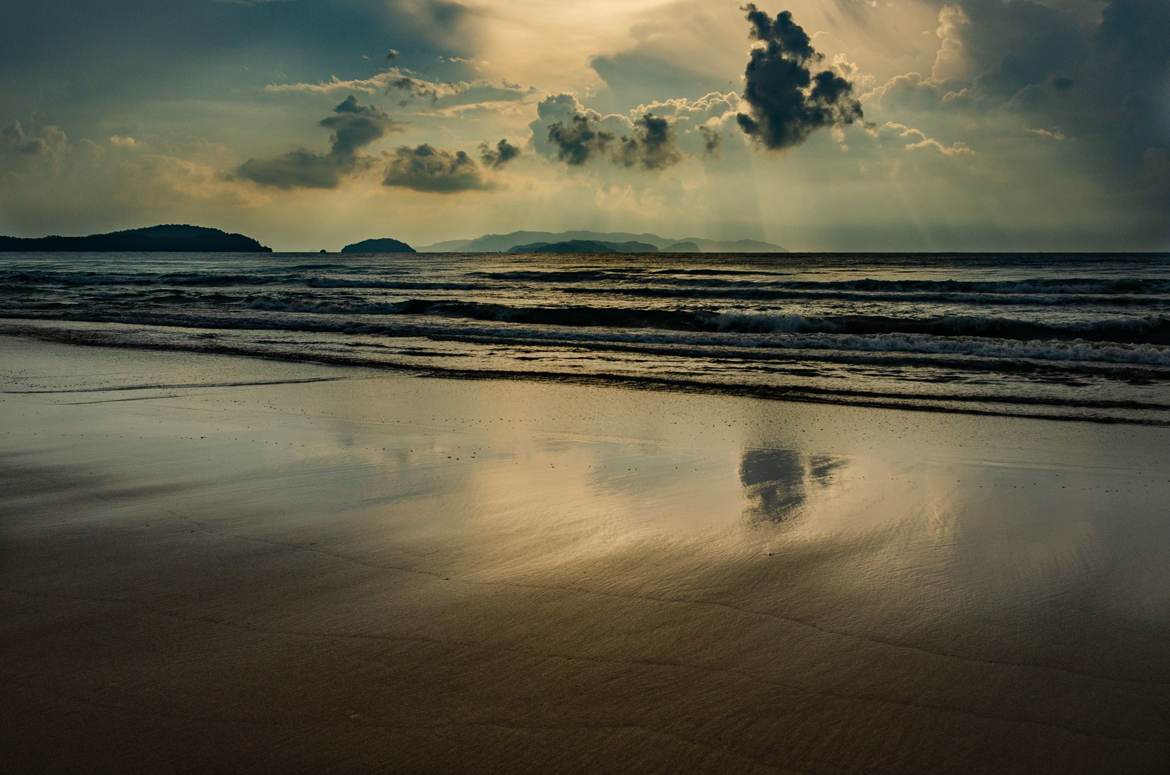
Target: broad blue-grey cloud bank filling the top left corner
x: 137, y: 51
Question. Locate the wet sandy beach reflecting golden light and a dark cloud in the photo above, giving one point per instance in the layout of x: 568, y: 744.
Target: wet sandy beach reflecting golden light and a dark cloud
x: 214, y: 564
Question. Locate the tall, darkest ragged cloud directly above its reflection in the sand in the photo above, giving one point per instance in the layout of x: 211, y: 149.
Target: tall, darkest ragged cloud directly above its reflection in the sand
x: 787, y: 100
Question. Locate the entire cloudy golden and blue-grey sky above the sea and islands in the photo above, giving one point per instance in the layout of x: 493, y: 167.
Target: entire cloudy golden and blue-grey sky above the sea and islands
x: 814, y: 125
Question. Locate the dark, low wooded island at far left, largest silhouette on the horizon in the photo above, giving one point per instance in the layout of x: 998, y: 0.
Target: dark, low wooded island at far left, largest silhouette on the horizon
x: 171, y: 238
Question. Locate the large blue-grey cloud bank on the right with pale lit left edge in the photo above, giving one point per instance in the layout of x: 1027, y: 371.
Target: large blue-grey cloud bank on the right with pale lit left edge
x: 1013, y: 71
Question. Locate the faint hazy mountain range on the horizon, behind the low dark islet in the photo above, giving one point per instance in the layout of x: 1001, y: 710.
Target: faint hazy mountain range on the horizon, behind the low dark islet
x: 510, y: 243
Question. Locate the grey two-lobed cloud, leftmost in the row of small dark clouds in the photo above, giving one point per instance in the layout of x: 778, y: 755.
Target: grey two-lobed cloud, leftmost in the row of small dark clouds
x: 354, y: 127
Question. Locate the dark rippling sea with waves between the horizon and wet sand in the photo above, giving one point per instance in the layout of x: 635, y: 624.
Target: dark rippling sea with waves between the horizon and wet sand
x: 1062, y: 337
